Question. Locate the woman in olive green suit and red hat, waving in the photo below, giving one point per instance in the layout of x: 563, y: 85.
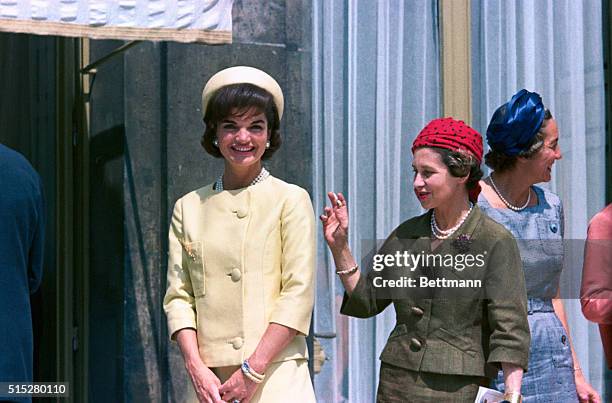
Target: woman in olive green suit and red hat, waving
x: 447, y: 342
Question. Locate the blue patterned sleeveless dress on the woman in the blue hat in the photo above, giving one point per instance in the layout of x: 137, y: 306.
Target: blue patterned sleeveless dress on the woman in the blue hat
x: 539, y: 232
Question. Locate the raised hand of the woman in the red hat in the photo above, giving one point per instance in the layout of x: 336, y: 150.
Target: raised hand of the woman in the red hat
x: 335, y: 222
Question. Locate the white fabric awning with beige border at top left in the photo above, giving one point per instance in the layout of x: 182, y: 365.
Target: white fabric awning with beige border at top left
x: 208, y: 21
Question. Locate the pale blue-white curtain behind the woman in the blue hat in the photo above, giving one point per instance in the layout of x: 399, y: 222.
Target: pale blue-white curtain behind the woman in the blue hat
x: 553, y: 47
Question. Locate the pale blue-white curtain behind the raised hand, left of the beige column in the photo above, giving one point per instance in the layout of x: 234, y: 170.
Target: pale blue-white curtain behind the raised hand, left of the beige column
x: 376, y: 83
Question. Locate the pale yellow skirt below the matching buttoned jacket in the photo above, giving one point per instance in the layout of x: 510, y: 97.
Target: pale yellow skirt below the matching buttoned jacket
x: 285, y: 381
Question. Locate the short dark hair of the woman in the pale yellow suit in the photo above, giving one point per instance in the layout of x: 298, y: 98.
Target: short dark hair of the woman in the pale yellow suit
x: 237, y: 100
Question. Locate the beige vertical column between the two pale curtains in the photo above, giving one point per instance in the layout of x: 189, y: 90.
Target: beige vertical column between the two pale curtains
x: 456, y: 68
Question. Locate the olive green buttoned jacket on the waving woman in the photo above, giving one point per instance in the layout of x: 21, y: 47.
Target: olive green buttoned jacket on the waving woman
x: 460, y: 331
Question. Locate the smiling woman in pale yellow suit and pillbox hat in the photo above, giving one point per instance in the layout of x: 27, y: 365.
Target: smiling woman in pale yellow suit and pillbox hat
x: 241, y: 256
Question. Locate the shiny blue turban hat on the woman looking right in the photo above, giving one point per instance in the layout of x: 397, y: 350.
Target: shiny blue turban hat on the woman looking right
x: 515, y: 123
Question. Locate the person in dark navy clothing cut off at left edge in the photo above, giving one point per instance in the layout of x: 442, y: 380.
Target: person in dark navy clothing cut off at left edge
x: 21, y: 255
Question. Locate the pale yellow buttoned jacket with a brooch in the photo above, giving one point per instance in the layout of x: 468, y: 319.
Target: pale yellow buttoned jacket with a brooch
x: 238, y: 260
